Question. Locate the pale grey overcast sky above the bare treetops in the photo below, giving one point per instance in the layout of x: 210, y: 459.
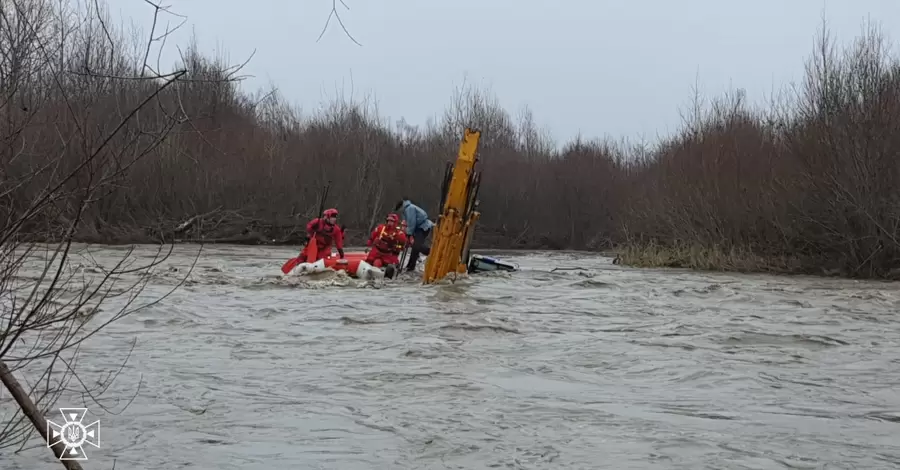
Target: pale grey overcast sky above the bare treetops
x: 617, y: 68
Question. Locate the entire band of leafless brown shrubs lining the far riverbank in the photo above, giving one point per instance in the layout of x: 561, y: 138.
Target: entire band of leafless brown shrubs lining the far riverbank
x: 809, y: 184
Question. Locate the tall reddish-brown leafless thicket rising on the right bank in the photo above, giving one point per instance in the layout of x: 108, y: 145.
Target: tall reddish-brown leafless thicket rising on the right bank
x: 814, y: 179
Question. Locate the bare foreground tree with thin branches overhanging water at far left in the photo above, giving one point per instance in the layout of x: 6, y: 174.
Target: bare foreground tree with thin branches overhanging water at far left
x: 79, y: 113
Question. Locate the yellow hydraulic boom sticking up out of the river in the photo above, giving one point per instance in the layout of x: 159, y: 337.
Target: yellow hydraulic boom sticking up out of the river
x: 456, y: 224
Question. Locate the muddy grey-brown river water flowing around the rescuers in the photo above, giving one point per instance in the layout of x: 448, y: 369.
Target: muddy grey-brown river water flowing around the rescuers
x: 598, y: 367
